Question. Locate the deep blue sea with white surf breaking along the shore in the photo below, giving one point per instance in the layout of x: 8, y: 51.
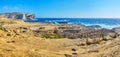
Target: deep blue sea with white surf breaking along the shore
x: 108, y: 23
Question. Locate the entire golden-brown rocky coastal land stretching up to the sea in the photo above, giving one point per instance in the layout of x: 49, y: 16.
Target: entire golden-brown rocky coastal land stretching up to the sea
x: 25, y: 39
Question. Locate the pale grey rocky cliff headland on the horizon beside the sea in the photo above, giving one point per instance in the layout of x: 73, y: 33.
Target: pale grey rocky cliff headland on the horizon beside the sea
x: 18, y: 15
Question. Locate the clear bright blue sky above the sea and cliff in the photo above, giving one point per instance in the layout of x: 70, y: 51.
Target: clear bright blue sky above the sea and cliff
x: 64, y: 8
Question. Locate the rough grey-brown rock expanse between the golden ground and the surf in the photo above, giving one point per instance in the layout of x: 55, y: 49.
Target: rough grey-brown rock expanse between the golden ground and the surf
x: 81, y: 31
